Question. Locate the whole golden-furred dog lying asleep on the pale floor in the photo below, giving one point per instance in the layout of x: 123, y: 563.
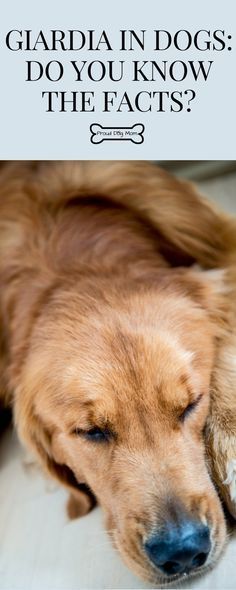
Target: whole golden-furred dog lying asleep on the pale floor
x: 118, y: 351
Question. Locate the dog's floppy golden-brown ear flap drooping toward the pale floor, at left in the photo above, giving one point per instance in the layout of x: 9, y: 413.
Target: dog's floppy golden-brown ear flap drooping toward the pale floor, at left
x: 39, y: 439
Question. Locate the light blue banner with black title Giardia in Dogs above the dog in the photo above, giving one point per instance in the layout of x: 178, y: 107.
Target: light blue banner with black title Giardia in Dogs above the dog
x: 118, y: 80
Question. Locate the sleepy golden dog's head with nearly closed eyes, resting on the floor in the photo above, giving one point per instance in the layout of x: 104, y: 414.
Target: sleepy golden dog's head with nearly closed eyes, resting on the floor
x: 113, y: 392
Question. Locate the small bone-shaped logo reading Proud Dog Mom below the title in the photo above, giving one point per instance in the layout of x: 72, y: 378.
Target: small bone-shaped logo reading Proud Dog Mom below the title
x: 100, y: 133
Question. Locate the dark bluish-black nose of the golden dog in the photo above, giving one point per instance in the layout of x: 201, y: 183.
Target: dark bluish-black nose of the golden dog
x: 179, y: 549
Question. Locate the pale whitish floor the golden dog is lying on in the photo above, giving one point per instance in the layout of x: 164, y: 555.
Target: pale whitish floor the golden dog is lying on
x: 41, y: 550
